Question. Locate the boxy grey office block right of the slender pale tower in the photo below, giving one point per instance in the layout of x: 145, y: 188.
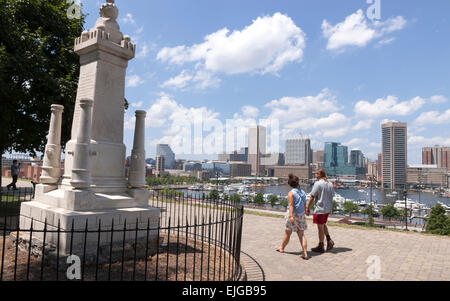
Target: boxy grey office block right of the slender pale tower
x: 298, y: 152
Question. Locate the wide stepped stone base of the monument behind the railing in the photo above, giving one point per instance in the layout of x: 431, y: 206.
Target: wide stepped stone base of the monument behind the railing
x: 81, y: 210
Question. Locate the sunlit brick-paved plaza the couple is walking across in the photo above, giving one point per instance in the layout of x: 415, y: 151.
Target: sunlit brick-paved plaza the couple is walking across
x: 403, y: 256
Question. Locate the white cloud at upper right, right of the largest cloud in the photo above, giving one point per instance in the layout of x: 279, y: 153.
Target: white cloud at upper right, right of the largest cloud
x: 358, y: 31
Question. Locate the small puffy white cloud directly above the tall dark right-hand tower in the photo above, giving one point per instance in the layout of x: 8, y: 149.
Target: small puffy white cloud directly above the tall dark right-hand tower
x: 389, y: 106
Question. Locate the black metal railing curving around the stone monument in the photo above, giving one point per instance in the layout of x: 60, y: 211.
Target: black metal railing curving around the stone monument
x: 196, y: 239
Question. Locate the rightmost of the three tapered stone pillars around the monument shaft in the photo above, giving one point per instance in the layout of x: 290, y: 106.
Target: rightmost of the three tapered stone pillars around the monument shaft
x: 136, y: 176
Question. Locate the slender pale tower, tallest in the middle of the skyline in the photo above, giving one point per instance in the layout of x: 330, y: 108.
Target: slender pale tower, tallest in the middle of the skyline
x: 256, y: 148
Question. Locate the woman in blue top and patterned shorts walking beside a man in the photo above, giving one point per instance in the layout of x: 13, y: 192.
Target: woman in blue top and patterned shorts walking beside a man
x: 296, y: 221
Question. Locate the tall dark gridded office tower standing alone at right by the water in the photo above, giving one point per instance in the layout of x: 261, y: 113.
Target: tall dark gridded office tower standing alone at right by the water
x: 395, y: 154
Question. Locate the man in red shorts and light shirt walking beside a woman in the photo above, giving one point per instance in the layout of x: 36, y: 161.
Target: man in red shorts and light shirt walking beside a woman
x: 323, y: 193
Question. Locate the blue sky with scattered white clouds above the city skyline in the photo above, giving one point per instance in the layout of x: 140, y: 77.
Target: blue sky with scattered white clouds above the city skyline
x: 320, y: 68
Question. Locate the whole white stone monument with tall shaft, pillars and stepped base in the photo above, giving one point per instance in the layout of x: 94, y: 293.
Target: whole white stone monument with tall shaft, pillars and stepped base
x: 93, y: 188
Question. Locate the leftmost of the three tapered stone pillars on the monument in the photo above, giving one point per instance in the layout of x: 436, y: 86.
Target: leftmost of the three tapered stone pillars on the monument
x: 51, y: 168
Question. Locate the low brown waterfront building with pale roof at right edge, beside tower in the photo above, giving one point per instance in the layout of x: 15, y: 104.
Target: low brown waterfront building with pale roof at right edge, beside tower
x: 427, y: 175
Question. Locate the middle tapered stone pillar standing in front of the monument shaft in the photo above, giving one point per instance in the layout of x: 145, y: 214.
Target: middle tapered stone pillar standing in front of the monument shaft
x: 81, y: 175
